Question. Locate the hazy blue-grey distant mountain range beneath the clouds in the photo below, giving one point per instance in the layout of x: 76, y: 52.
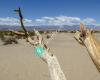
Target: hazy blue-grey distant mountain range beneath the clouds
x: 53, y: 27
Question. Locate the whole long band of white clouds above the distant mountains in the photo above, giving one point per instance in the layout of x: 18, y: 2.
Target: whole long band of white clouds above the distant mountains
x: 59, y: 20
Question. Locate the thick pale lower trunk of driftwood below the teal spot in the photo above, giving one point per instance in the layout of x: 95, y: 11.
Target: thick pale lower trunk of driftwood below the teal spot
x: 54, y: 67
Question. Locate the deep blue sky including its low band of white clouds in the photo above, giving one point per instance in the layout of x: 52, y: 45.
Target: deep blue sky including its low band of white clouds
x: 50, y: 12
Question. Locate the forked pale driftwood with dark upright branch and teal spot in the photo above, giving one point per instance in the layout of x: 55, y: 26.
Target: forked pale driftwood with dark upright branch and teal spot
x: 51, y: 60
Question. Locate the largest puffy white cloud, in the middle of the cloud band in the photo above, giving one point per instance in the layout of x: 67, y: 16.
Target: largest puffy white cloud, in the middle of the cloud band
x: 59, y: 20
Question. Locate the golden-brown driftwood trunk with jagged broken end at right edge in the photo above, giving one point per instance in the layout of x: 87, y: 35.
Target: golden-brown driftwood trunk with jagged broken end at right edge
x: 86, y: 38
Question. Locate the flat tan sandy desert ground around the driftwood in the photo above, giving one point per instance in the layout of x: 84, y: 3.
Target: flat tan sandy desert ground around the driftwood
x: 18, y: 62
